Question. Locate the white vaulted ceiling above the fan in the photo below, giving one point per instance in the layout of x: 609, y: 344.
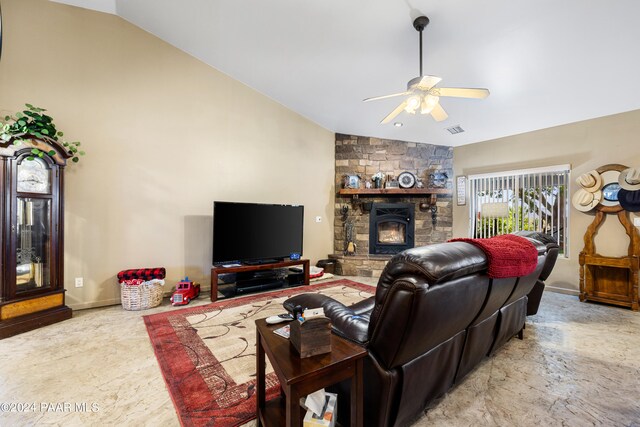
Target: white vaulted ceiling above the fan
x: 546, y: 62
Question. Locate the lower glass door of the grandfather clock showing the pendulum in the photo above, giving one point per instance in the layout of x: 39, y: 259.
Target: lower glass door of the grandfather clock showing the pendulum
x: 33, y: 246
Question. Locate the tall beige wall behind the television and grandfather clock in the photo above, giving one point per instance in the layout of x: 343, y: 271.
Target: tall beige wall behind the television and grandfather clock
x: 165, y: 136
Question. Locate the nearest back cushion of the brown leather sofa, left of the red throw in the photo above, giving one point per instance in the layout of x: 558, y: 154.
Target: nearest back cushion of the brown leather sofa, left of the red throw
x: 426, y: 295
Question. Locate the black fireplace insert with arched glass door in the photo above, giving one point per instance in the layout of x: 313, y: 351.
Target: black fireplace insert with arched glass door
x: 391, y: 228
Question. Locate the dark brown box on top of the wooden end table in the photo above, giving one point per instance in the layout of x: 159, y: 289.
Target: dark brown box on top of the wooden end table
x: 311, y: 337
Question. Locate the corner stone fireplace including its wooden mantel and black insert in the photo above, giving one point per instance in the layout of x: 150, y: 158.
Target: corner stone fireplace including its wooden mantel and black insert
x: 365, y: 156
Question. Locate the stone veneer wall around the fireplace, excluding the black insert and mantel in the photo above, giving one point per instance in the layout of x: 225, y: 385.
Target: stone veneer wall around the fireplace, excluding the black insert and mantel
x: 364, y: 156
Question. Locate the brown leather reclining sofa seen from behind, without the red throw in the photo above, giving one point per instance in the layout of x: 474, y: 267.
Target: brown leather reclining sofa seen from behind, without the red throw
x: 435, y: 315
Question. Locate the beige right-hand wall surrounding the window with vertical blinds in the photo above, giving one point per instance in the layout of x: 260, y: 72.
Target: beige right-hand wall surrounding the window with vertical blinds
x: 585, y: 145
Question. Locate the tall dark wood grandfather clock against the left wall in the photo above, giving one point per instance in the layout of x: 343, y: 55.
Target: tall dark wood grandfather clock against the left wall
x: 31, y: 217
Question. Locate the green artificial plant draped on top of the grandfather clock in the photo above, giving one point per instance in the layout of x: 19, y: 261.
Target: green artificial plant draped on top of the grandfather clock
x: 32, y: 122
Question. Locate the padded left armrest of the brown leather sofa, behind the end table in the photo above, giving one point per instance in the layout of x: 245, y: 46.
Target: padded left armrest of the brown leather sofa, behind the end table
x: 345, y: 321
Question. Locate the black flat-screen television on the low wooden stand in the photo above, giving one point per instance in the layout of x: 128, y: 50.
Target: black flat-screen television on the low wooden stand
x: 246, y: 232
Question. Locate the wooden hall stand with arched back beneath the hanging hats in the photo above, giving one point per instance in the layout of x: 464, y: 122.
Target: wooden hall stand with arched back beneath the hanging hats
x: 612, y: 280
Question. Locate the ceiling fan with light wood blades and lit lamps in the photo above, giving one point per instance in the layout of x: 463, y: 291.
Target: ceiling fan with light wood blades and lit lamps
x: 422, y: 94
